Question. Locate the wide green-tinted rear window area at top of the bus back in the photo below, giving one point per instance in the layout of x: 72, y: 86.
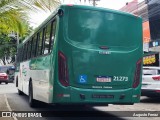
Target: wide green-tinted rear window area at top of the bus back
x: 102, y: 28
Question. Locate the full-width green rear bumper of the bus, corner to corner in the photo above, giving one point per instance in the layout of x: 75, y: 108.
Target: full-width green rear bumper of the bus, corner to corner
x: 95, y: 96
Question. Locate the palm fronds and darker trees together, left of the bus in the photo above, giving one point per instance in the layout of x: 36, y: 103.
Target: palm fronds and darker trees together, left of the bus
x: 14, y: 23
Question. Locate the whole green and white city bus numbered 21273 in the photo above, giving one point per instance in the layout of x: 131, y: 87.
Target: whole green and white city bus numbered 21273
x: 82, y: 55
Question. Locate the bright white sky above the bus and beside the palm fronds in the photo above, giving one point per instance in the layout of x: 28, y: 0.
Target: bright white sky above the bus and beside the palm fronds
x: 37, y: 18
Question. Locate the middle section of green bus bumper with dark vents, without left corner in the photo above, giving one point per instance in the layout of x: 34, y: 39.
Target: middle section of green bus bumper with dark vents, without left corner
x: 102, y: 96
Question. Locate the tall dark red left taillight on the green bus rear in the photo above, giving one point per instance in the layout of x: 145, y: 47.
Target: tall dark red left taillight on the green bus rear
x: 63, y: 69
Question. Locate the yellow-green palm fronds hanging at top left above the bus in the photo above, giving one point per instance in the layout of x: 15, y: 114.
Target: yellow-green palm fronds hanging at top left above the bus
x: 12, y: 12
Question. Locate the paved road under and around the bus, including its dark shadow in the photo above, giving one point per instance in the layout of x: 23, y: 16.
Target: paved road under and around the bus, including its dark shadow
x: 9, y: 95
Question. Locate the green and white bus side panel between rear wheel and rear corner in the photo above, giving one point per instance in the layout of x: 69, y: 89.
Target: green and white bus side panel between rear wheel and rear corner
x: 40, y: 71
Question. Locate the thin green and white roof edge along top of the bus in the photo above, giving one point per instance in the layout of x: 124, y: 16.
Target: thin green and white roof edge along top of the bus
x: 74, y: 6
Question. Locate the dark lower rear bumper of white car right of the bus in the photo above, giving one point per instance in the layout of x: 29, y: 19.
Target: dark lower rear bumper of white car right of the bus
x: 150, y: 92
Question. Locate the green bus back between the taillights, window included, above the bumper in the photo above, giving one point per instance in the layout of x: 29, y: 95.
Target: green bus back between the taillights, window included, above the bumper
x: 96, y: 29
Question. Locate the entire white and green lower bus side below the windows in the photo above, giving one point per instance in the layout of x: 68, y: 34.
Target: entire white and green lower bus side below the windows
x: 38, y: 71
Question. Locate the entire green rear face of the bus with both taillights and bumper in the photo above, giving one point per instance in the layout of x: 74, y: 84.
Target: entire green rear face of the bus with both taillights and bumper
x: 99, y: 57
